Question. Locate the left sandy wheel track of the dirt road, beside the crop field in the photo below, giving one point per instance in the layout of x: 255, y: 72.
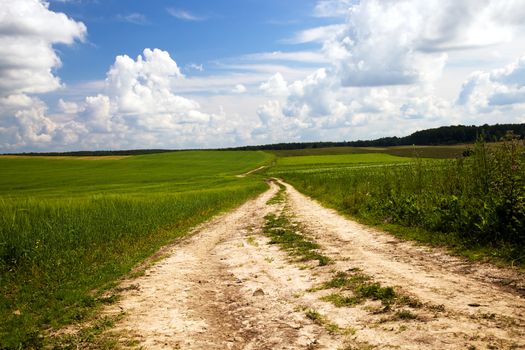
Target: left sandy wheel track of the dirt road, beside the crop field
x: 203, y: 295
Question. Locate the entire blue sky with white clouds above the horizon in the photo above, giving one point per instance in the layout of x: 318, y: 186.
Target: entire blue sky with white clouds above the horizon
x: 178, y: 74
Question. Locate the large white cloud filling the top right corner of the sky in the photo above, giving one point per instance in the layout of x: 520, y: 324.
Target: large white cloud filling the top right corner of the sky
x: 405, y: 42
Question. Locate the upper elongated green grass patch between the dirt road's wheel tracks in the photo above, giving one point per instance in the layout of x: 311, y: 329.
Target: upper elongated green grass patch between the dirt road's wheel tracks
x: 281, y: 232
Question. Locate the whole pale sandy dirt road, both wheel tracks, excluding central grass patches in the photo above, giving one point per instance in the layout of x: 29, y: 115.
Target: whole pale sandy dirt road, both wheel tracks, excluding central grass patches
x: 226, y: 287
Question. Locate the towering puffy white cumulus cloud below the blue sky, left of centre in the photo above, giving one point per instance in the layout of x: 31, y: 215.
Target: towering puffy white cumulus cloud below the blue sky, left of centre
x: 139, y: 98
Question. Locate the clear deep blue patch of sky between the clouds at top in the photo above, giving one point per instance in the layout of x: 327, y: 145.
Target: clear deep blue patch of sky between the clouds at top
x: 213, y: 30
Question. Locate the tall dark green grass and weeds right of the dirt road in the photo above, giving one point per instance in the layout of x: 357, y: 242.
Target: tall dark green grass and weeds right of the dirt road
x: 477, y: 201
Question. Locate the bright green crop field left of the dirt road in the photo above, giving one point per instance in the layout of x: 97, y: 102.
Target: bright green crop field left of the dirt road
x: 69, y: 227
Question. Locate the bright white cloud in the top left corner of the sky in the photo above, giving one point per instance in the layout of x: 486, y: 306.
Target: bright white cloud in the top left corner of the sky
x: 28, y: 29
